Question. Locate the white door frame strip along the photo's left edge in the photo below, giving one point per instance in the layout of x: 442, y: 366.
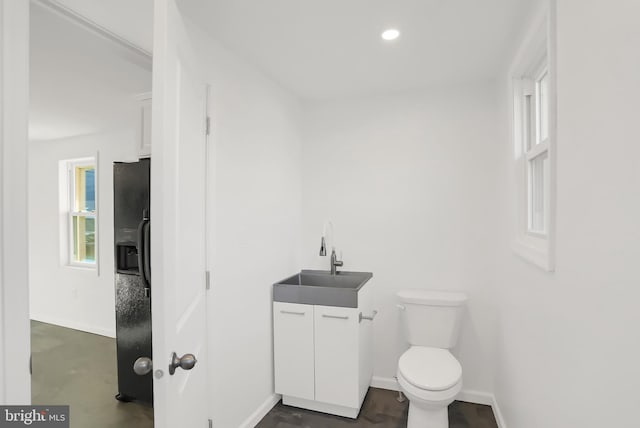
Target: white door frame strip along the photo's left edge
x: 15, y: 381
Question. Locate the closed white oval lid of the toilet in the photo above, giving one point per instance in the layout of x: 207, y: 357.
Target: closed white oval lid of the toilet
x: 432, y: 369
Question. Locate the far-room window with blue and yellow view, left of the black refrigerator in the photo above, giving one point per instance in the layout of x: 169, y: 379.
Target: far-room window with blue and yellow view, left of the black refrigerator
x: 81, y: 212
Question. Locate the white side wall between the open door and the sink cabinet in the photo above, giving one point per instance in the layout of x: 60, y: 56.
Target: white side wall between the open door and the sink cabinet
x: 255, y: 210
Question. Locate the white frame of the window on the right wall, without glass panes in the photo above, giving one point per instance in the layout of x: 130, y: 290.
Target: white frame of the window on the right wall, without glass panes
x: 535, y: 59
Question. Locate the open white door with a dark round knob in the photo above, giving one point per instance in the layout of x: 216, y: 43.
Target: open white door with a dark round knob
x: 178, y: 259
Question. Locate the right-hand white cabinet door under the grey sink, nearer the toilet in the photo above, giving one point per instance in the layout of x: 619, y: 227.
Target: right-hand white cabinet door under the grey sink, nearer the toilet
x: 336, y: 351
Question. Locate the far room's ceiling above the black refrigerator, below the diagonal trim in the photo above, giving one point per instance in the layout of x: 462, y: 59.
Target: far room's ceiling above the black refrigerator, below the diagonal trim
x: 81, y: 82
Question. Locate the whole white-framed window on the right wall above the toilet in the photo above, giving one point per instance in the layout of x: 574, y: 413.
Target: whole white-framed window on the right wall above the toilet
x: 533, y: 135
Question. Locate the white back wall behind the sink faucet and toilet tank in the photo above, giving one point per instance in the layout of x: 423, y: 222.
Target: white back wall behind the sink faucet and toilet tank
x: 408, y: 182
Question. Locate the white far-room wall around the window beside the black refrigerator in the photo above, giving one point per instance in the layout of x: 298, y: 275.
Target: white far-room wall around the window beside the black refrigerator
x: 59, y: 294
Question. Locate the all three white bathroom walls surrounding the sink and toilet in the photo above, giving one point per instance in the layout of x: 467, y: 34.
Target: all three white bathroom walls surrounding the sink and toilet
x: 416, y: 186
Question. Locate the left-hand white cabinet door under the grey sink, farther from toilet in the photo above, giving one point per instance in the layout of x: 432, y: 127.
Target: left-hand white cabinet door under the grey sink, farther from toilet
x: 293, y: 349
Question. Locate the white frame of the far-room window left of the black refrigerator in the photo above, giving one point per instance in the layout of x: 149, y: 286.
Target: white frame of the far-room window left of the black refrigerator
x: 71, y: 212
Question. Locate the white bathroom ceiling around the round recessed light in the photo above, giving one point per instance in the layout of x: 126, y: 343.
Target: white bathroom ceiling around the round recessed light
x: 332, y: 48
